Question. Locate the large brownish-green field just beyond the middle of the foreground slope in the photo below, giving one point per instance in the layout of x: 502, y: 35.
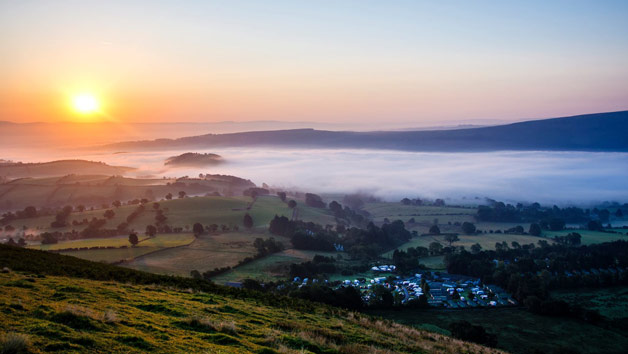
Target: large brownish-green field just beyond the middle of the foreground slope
x: 205, y: 253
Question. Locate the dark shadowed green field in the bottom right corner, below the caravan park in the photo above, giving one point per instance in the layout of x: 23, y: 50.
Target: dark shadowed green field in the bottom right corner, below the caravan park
x: 519, y: 331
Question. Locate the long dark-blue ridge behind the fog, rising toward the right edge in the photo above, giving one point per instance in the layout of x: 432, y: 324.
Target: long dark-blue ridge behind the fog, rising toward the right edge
x: 591, y: 132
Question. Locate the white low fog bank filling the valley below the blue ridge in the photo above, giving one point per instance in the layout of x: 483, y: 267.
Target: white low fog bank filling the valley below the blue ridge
x: 579, y: 178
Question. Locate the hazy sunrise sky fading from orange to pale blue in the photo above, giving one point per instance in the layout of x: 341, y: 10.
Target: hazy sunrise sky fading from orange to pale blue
x: 324, y: 61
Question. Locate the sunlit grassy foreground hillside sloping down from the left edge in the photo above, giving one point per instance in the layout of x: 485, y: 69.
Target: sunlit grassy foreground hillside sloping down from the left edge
x: 60, y: 303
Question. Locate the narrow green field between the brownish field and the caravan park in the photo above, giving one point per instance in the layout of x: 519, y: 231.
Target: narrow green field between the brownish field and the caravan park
x: 271, y: 268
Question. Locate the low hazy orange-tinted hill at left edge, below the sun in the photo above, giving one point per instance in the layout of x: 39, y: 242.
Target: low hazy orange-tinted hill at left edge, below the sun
x: 59, y: 168
